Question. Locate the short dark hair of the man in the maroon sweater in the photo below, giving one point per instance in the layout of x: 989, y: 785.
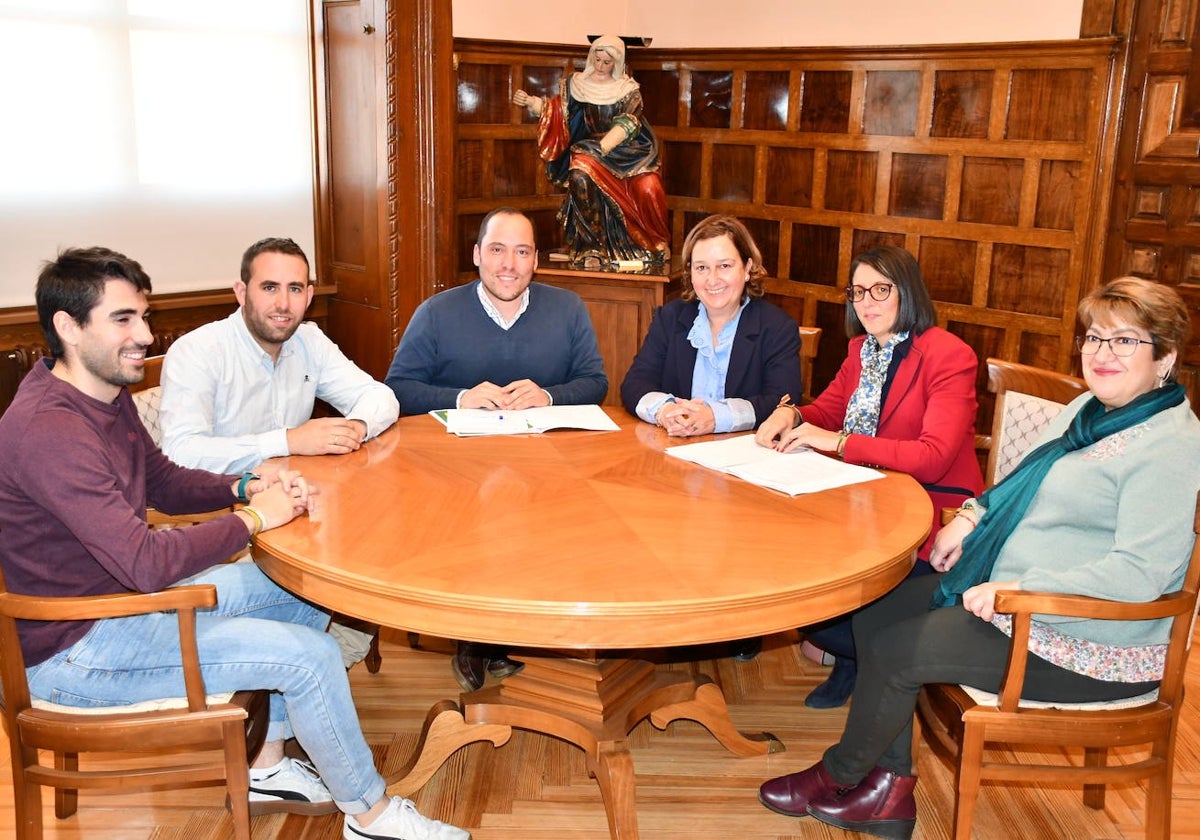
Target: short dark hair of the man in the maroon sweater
x: 75, y: 284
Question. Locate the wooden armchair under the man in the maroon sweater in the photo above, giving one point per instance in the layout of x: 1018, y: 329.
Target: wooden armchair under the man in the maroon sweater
x: 227, y: 731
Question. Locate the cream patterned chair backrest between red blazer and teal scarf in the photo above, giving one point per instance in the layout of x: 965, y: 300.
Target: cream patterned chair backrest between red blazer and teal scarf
x: 1028, y: 399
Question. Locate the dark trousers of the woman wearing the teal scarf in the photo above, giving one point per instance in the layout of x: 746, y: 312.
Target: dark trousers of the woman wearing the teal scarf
x: 904, y: 645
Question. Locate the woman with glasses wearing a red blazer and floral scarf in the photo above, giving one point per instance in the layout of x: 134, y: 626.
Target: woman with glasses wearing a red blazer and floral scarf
x: 904, y: 400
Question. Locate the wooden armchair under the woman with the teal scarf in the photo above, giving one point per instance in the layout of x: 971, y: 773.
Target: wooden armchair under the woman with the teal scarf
x: 958, y: 723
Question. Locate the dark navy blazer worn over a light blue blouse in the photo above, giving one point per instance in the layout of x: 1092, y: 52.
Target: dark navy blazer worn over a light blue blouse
x: 765, y: 363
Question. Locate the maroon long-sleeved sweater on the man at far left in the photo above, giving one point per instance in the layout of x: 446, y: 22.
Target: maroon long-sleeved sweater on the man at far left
x: 76, y: 477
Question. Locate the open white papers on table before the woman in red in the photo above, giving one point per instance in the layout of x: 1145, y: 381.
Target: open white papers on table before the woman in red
x: 794, y: 473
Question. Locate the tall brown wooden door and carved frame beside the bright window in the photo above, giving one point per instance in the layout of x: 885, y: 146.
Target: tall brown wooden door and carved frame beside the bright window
x: 385, y: 109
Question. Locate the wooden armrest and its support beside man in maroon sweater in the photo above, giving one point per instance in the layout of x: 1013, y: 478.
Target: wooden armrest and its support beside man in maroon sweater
x: 184, y: 601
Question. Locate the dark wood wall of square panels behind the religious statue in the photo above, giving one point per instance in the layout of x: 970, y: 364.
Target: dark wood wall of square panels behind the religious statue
x: 985, y: 163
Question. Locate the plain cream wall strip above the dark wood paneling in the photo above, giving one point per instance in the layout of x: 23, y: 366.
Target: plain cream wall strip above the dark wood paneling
x: 772, y: 23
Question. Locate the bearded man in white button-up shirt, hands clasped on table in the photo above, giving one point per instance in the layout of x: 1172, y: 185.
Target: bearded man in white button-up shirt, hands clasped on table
x: 242, y: 391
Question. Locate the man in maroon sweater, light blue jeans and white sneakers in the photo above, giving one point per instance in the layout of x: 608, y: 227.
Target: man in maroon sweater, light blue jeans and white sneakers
x: 80, y: 471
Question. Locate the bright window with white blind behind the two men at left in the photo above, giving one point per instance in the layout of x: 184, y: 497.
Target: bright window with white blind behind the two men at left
x: 177, y: 131
